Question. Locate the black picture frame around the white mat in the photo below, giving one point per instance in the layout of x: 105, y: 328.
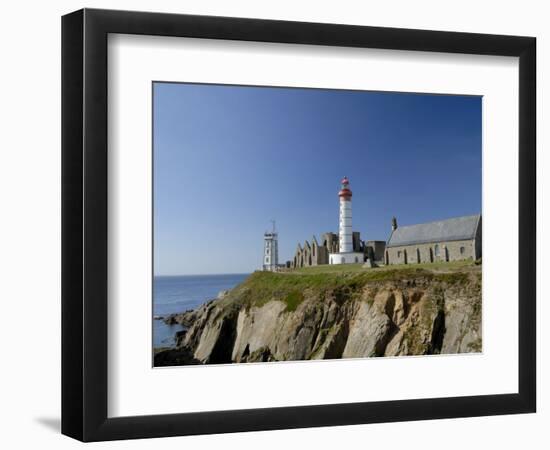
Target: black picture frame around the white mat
x: 84, y: 224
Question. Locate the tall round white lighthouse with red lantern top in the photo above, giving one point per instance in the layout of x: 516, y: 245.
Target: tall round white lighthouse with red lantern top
x: 346, y: 255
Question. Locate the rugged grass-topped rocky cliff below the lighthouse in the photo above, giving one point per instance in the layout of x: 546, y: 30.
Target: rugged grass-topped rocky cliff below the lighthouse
x: 282, y: 317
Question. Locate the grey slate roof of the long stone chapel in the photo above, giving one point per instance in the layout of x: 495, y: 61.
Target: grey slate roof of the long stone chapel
x: 455, y: 229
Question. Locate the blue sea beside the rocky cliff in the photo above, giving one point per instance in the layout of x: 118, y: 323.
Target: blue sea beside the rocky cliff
x: 176, y: 294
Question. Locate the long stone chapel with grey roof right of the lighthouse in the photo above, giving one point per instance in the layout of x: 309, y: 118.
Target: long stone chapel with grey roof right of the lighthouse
x: 453, y: 239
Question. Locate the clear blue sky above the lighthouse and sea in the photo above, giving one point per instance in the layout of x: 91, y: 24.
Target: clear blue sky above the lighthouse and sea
x: 228, y: 159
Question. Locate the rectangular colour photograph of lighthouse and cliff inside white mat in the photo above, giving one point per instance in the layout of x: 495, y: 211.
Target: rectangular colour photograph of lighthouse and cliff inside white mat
x: 294, y: 224
